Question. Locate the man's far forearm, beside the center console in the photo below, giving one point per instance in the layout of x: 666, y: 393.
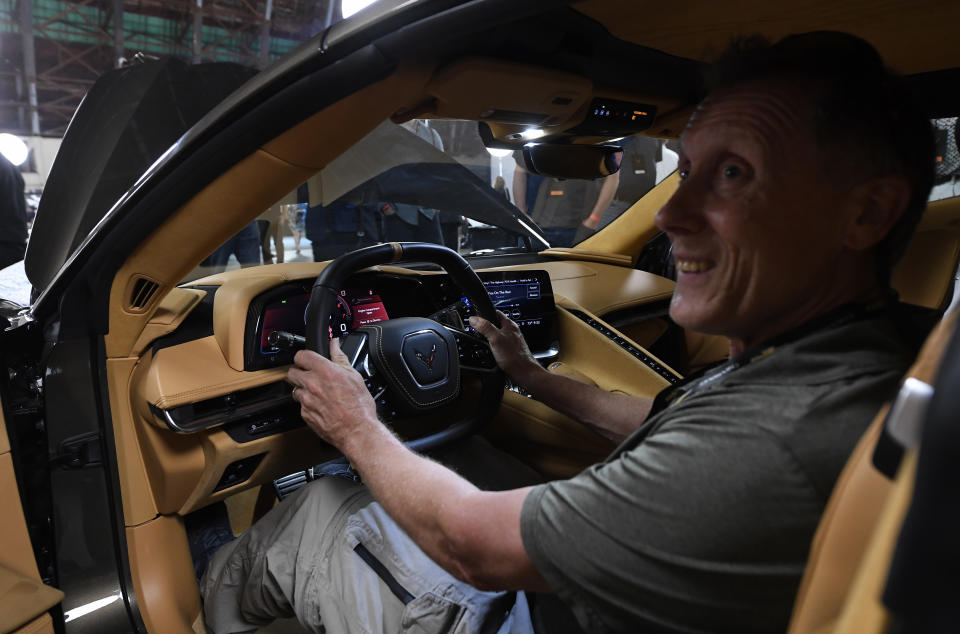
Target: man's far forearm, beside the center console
x: 615, y: 415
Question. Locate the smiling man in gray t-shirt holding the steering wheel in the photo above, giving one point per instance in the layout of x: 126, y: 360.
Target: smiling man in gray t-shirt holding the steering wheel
x: 802, y: 176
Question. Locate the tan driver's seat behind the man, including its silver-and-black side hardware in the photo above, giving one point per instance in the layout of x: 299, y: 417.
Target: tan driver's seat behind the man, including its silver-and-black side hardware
x: 843, y: 588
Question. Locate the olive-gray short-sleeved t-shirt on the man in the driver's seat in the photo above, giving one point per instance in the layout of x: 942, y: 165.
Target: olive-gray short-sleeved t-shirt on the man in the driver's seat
x: 702, y: 520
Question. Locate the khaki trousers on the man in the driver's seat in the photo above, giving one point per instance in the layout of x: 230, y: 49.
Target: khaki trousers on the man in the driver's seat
x: 331, y: 556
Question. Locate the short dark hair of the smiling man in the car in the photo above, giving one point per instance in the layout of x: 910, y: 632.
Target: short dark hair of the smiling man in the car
x: 865, y: 119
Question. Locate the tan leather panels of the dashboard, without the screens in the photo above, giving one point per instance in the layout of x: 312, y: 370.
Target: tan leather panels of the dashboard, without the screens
x: 186, y: 471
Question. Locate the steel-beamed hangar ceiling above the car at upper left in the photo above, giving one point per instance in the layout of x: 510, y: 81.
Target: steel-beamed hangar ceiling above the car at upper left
x: 53, y: 50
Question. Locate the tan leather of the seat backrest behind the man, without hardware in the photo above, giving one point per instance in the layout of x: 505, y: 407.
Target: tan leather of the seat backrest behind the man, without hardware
x: 859, y: 527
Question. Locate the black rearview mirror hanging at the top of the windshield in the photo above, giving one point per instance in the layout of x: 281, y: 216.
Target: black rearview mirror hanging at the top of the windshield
x: 572, y: 161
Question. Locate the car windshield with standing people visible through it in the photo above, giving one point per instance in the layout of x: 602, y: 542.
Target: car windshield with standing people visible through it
x: 434, y: 181
